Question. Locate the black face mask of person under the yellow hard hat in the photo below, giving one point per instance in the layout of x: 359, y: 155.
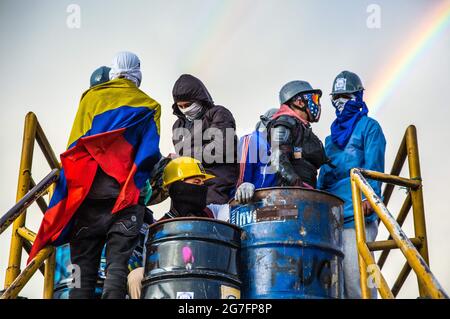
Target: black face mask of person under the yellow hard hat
x: 188, y: 199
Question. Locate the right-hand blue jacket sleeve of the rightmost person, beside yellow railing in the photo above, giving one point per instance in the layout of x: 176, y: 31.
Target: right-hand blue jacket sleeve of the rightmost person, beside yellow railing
x: 374, y: 152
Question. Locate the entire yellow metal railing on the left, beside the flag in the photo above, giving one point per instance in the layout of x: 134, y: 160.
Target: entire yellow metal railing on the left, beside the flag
x: 22, y: 237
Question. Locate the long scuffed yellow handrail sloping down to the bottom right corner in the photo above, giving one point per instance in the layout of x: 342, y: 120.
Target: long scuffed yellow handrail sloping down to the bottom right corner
x: 414, y: 258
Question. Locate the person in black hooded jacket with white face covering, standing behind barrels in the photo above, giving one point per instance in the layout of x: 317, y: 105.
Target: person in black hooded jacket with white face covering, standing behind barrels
x: 207, y: 132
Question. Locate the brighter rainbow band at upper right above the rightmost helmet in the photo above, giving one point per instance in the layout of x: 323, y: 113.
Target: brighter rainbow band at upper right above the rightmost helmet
x: 395, y: 71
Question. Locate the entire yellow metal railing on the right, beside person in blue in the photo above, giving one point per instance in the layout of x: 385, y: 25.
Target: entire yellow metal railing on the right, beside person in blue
x: 414, y: 249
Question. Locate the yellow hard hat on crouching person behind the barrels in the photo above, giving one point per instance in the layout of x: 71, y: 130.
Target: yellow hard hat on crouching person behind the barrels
x: 181, y: 168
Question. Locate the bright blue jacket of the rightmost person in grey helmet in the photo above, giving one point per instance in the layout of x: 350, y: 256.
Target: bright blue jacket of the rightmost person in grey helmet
x: 365, y: 149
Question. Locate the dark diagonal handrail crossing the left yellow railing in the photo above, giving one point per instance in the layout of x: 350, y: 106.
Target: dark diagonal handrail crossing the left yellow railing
x: 28, y: 199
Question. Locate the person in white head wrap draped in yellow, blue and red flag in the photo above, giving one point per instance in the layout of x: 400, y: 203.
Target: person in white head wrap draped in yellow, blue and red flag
x: 113, y: 146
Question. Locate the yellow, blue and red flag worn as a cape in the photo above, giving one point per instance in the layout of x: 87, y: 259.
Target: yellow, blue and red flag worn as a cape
x: 116, y: 128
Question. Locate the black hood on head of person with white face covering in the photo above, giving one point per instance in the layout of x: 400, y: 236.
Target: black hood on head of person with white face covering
x: 189, y: 88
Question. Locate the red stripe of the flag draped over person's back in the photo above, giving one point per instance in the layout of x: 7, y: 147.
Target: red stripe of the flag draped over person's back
x: 115, y: 155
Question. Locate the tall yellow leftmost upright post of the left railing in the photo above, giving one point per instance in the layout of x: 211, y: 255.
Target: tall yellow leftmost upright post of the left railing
x: 15, y: 250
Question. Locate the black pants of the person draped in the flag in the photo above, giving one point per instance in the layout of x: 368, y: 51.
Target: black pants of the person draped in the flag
x: 94, y: 225
